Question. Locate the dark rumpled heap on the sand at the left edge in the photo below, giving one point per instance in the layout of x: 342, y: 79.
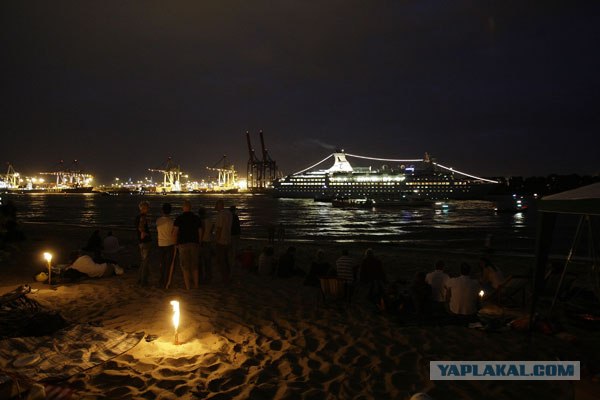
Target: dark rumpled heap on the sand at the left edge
x: 22, y: 316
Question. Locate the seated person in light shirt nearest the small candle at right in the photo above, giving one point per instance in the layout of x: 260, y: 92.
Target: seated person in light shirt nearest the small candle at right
x: 463, y: 292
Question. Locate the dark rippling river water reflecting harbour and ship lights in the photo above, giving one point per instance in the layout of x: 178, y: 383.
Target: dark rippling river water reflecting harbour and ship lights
x: 303, y: 219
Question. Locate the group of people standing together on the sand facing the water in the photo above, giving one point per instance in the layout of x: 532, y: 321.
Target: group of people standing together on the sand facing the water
x: 190, y: 237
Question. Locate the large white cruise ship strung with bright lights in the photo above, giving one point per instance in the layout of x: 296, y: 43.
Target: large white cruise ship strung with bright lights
x: 394, y: 181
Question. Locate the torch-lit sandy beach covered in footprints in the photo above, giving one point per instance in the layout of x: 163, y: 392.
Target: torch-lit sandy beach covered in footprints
x: 268, y: 338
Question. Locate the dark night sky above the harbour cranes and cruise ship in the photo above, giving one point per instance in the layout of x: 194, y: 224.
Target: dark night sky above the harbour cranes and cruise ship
x: 494, y: 88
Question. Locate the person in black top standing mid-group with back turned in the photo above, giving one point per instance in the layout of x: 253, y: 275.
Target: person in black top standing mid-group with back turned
x: 187, y: 228
